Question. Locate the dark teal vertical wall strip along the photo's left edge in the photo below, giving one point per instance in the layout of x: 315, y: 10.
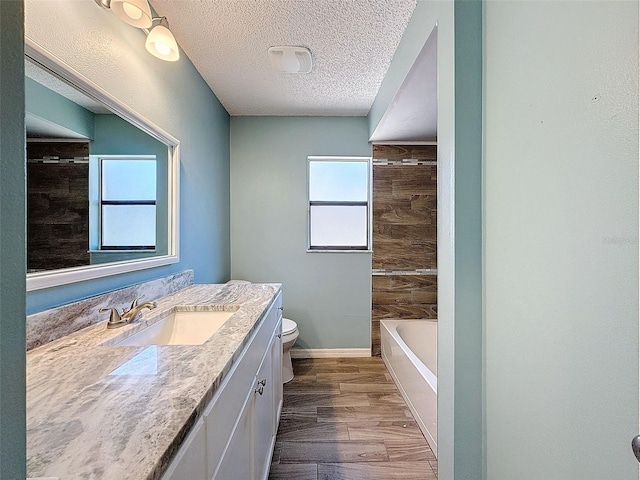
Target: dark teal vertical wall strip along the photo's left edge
x: 12, y: 244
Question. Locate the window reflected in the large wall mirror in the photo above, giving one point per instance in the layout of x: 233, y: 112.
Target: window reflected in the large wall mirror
x: 127, y: 203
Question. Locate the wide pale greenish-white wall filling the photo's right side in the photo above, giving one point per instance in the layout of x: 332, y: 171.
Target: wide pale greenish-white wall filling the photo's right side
x: 561, y: 239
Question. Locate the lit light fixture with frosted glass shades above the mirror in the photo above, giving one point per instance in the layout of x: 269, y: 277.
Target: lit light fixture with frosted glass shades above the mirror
x: 160, y: 41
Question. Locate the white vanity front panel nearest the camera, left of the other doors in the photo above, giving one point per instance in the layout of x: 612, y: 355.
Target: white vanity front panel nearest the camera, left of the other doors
x: 190, y: 462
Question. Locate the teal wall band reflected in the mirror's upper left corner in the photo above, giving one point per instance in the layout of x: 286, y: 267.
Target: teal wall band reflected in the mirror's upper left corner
x: 49, y: 105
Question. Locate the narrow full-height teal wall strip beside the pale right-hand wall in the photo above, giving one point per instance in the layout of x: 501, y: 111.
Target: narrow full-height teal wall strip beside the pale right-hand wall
x: 468, y: 346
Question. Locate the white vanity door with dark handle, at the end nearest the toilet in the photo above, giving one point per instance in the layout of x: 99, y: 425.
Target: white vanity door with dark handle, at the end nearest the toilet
x: 263, y: 413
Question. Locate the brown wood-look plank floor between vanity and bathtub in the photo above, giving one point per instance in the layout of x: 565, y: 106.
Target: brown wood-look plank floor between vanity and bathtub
x: 344, y: 419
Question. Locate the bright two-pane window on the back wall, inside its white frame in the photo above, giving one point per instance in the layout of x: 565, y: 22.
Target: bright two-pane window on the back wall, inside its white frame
x: 338, y: 203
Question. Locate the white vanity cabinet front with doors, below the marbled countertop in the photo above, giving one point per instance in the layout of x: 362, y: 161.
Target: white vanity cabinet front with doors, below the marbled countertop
x: 237, y: 429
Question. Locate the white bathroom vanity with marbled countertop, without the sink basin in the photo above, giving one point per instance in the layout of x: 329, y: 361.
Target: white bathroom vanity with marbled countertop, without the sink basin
x: 100, y: 408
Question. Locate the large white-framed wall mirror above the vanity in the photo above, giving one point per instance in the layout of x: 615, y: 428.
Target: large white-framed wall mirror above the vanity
x: 102, y: 182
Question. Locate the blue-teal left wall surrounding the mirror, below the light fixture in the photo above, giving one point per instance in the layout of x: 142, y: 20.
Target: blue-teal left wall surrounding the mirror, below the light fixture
x: 172, y: 96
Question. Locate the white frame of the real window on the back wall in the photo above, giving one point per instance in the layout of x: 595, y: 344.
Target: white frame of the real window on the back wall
x: 340, y: 248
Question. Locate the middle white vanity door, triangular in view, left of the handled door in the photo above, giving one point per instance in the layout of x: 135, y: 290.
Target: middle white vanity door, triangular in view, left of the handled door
x: 236, y: 461
